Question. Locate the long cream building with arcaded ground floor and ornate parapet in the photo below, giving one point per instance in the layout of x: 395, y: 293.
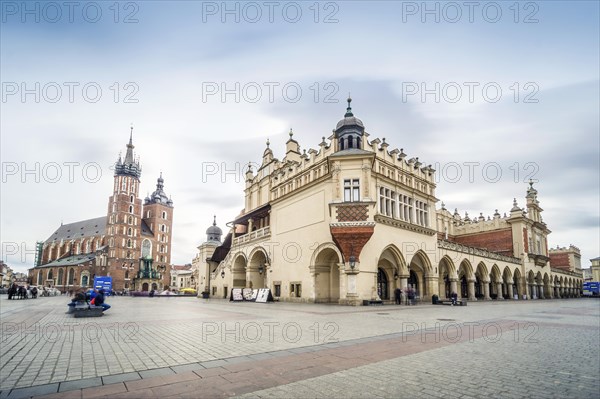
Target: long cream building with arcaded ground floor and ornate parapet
x: 354, y: 219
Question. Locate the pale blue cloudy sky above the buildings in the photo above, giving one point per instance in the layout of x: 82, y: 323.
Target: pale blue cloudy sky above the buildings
x: 490, y: 93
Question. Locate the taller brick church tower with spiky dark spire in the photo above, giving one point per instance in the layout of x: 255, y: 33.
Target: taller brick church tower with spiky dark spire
x: 124, y: 218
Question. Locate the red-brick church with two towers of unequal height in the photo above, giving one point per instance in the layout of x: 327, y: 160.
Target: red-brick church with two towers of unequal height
x: 131, y: 242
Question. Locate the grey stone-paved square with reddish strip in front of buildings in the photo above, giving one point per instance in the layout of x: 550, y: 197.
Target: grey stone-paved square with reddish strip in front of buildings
x: 187, y: 347
